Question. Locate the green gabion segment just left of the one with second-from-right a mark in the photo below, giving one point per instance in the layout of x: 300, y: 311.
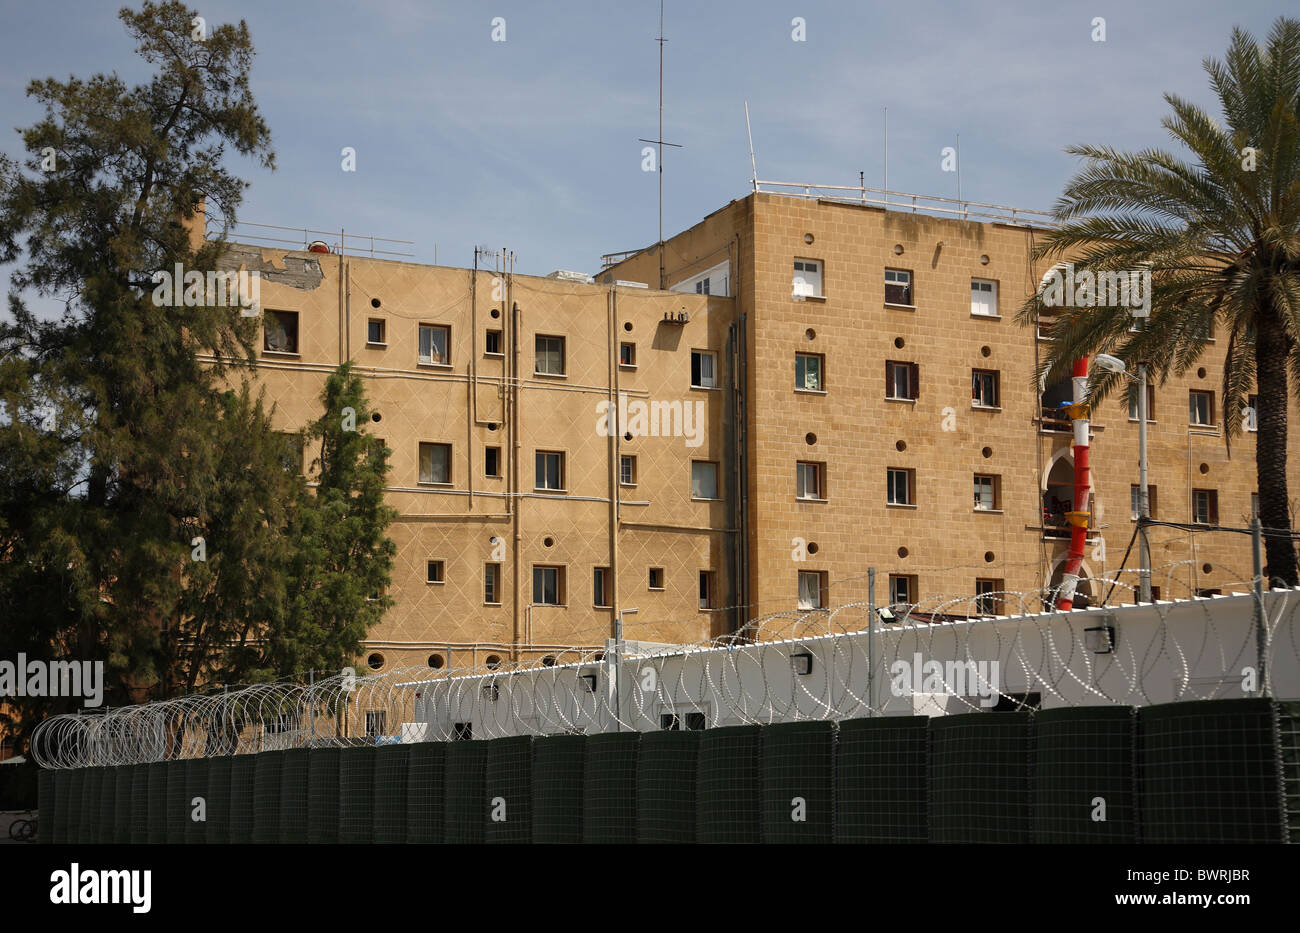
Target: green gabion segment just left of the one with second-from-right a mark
x: 727, y: 786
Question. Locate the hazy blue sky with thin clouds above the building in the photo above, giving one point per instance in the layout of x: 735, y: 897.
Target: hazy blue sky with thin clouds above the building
x: 531, y: 144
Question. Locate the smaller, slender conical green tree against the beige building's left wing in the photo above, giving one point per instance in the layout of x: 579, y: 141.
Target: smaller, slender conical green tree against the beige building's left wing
x: 341, y: 561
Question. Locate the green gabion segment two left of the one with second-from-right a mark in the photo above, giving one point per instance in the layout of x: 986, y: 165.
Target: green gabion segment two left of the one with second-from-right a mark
x: 666, y: 787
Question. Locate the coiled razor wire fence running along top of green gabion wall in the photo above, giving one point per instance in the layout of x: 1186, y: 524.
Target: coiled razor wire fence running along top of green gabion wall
x: 944, y: 656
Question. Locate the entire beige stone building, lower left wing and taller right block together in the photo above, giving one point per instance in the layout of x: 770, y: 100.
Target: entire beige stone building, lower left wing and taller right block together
x: 807, y: 389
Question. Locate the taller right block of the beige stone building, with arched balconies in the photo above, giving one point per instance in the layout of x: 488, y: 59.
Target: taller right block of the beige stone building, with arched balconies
x: 894, y: 420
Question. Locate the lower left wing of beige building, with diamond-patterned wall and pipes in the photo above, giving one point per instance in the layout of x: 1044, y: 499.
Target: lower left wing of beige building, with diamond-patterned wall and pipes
x: 525, y: 523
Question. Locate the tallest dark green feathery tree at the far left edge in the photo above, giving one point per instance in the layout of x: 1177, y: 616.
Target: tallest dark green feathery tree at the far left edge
x: 118, y: 437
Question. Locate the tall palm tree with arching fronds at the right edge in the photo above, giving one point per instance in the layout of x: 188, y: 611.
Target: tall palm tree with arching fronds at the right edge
x: 1221, y: 238
